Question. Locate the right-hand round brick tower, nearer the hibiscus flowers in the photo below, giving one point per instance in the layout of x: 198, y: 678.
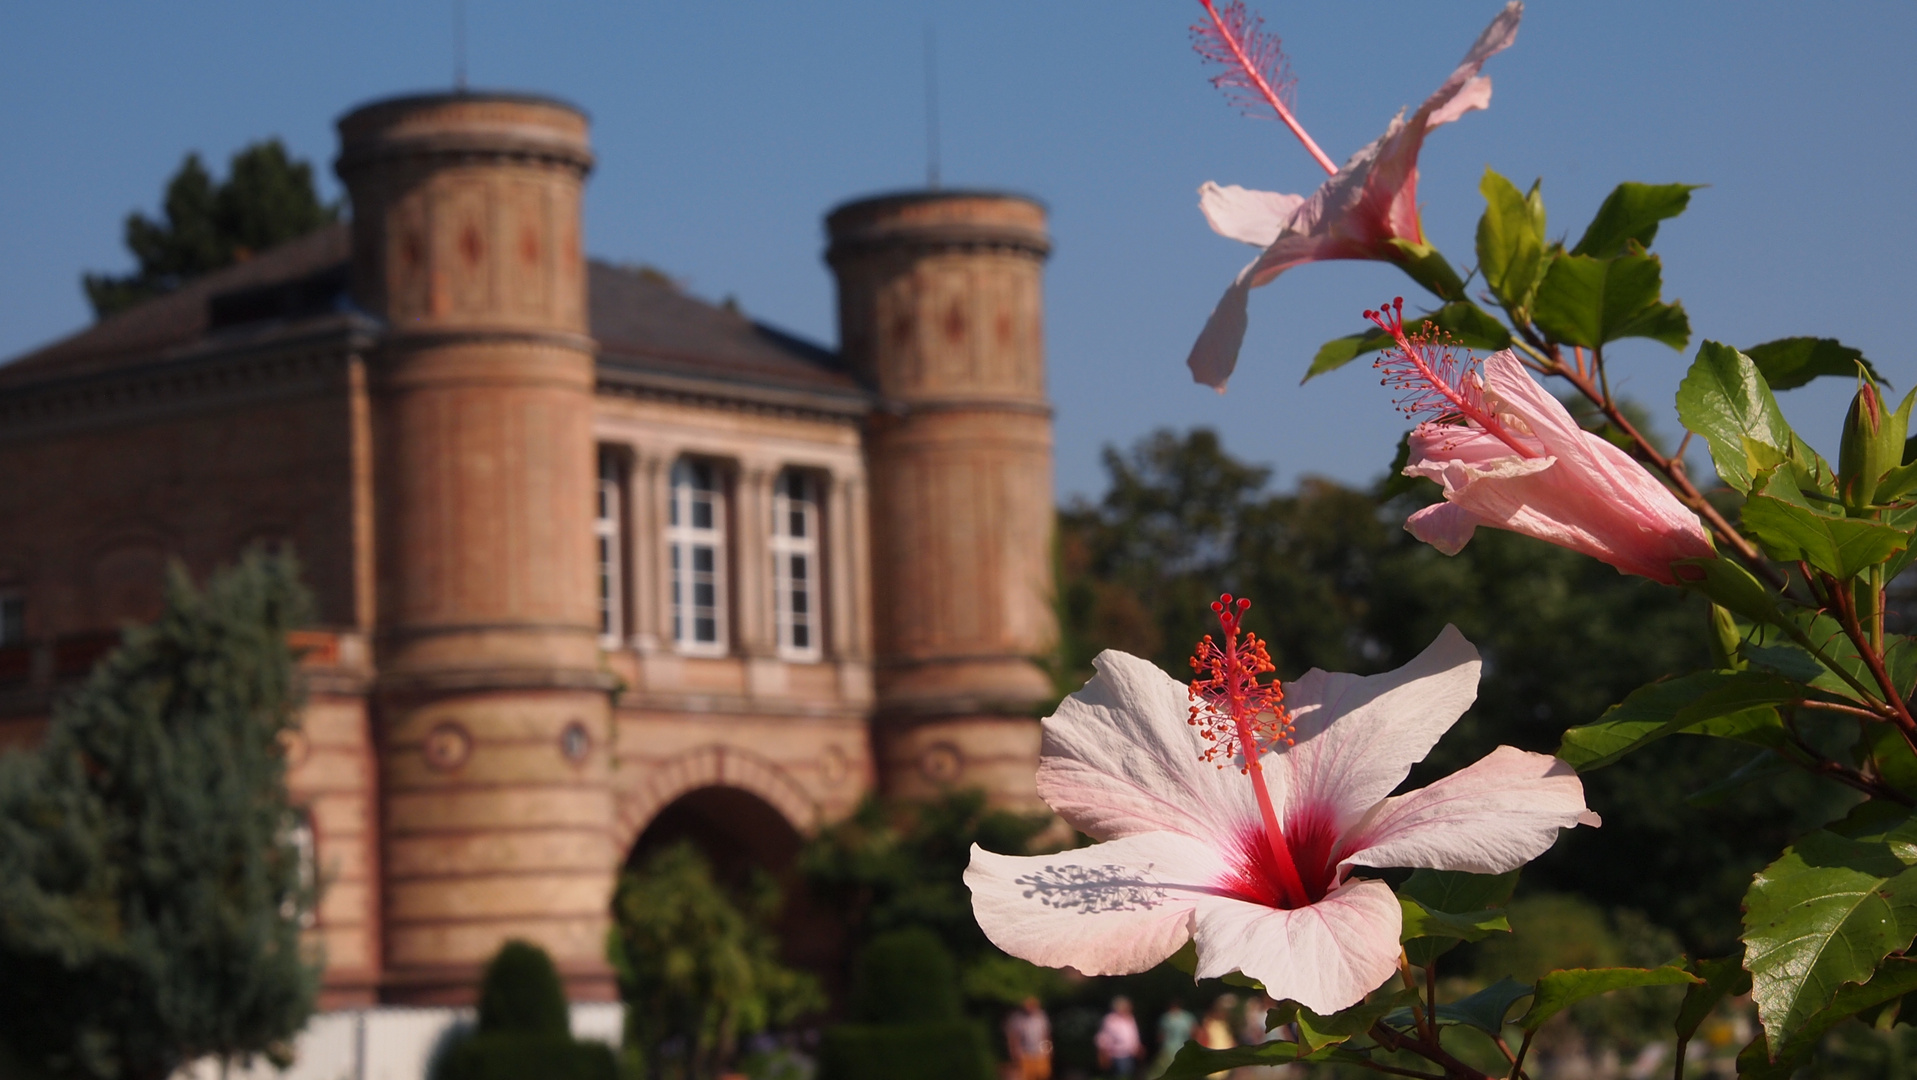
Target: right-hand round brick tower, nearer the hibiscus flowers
x: 940, y: 308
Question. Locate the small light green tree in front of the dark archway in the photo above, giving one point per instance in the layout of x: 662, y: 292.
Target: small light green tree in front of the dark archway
x: 701, y: 970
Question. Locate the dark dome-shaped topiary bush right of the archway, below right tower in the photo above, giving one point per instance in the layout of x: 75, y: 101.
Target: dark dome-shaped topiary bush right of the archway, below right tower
x: 906, y: 998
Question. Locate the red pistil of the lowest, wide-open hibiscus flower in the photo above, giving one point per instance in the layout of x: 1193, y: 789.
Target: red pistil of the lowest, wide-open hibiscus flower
x: 1243, y: 718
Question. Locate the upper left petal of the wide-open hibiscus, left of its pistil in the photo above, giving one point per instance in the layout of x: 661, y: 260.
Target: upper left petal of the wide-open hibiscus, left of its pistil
x: 1119, y: 759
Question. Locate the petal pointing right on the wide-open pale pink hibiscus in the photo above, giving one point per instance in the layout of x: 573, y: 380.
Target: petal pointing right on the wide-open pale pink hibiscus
x: 1492, y: 818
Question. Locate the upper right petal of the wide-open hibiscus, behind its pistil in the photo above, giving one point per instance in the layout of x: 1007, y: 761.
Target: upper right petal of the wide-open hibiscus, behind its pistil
x: 1358, y: 736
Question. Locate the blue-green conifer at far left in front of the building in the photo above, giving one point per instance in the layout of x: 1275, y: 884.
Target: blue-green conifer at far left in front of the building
x: 150, y: 883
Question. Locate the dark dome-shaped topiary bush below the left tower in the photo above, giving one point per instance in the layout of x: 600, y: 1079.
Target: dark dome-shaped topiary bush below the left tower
x: 524, y: 1027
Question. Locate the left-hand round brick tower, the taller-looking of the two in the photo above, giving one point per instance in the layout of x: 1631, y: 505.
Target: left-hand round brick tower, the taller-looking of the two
x: 494, y: 715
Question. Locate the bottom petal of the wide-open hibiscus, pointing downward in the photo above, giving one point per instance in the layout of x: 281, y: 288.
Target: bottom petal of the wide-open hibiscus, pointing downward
x: 1326, y: 956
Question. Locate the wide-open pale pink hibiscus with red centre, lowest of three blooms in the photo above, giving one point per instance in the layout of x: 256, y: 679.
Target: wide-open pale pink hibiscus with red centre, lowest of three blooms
x: 1257, y: 862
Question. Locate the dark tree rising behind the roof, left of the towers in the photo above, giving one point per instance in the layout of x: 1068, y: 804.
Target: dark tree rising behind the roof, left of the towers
x: 266, y: 200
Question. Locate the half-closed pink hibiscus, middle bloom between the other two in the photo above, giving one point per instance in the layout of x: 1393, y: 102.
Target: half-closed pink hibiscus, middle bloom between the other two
x: 1512, y: 458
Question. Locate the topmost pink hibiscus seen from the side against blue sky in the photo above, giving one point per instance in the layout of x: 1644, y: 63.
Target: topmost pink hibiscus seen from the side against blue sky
x: 1356, y: 214
